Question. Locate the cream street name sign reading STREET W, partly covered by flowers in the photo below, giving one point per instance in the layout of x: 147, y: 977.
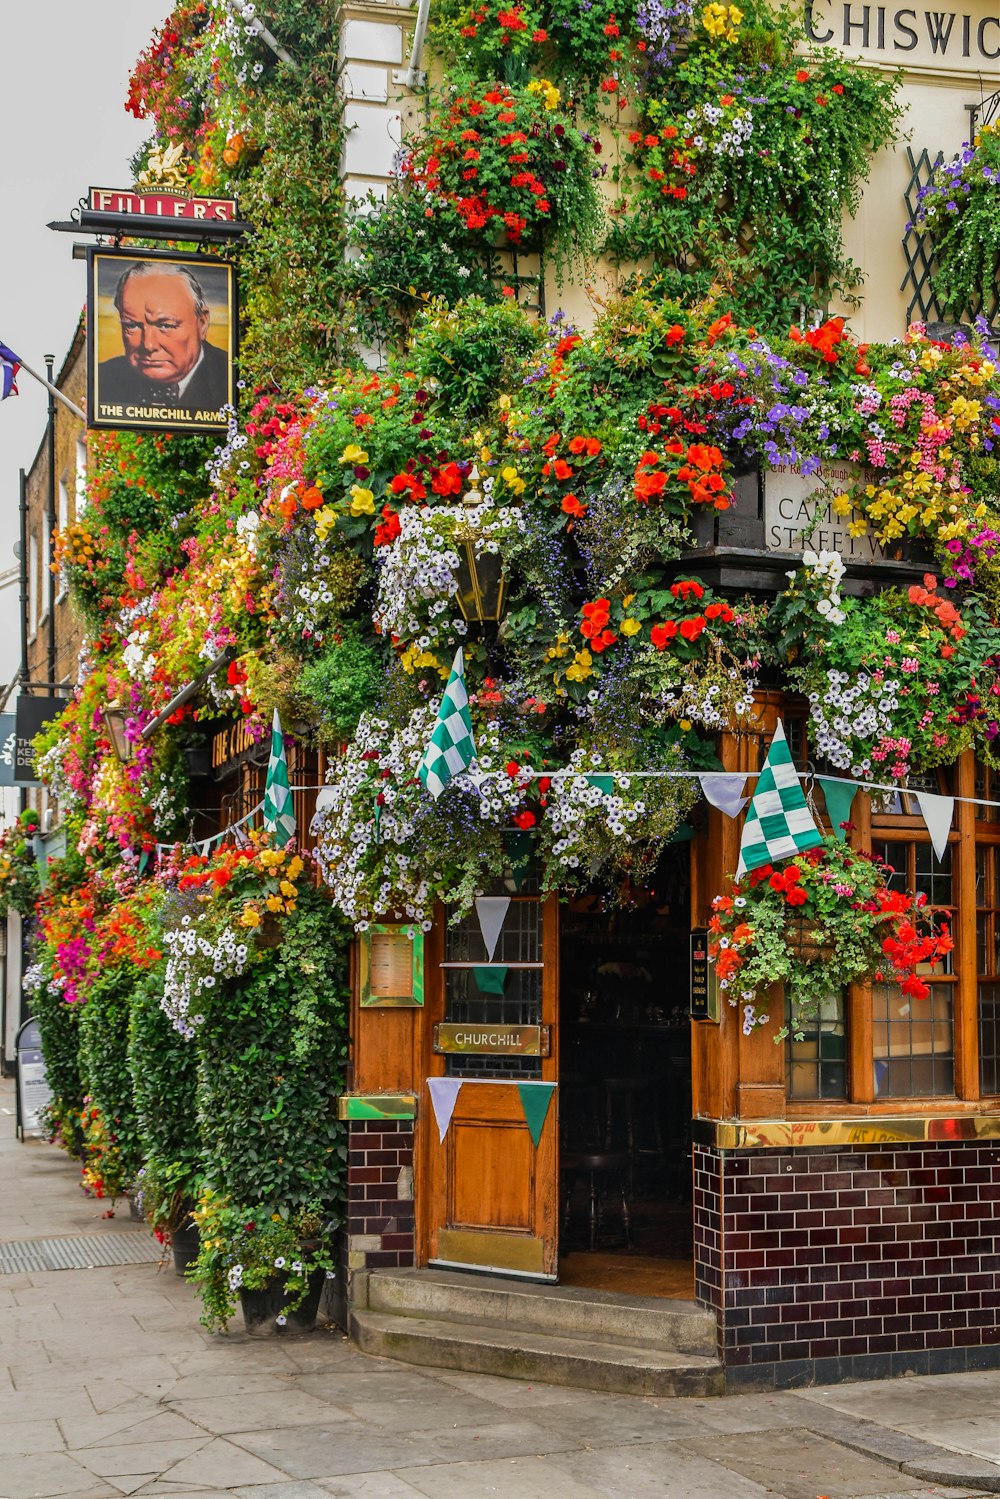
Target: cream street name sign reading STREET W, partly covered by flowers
x: 800, y: 513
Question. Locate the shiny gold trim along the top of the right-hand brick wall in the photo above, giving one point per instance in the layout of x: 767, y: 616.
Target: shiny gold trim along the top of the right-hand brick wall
x: 873, y: 1129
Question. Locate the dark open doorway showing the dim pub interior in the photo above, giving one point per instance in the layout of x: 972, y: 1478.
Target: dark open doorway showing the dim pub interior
x: 626, y: 1088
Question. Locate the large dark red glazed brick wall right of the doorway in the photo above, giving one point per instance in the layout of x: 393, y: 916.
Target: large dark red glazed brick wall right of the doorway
x: 836, y: 1264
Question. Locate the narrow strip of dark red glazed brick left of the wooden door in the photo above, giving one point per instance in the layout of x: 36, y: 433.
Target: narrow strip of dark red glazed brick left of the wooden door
x: 380, y: 1221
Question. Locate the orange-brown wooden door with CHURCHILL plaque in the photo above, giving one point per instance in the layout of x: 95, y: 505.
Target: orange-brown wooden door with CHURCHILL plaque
x: 493, y: 1192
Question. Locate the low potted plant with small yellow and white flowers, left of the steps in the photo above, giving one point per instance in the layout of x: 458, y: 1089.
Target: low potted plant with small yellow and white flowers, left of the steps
x: 272, y: 1264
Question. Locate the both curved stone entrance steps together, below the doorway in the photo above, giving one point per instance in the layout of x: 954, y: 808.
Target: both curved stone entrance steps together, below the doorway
x: 551, y: 1335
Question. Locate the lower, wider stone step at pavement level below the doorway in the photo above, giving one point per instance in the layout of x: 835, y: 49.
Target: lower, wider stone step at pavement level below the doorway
x: 518, y: 1354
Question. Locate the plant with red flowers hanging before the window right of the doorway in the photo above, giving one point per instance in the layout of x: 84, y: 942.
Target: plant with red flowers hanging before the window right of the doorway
x: 818, y: 924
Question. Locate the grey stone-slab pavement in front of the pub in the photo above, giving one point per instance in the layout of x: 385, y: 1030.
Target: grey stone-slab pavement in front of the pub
x: 109, y: 1387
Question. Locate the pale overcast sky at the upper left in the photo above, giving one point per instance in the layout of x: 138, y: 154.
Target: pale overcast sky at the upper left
x: 65, y: 128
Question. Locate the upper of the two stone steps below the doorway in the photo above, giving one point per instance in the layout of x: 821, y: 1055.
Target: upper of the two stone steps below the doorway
x: 561, y: 1311
